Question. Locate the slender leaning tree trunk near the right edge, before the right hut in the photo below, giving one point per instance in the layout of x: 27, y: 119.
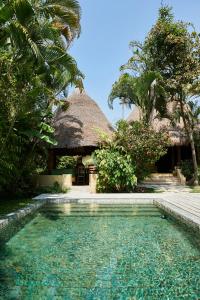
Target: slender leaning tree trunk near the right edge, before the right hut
x: 191, y: 140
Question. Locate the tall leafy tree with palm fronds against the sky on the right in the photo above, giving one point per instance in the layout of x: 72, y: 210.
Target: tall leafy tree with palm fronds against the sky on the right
x: 164, y: 69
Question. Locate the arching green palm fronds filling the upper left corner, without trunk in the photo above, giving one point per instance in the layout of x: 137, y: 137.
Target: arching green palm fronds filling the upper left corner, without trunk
x: 42, y: 31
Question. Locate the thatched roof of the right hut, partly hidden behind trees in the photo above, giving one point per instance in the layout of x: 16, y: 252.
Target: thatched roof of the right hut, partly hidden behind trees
x: 176, y: 133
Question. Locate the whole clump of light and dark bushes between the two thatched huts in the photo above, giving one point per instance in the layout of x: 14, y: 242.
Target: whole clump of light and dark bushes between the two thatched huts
x: 131, y: 153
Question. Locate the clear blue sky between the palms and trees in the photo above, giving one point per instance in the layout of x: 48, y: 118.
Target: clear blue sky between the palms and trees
x: 107, y: 28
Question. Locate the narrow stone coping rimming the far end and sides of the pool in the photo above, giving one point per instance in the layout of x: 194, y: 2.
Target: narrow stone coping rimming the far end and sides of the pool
x: 178, y: 213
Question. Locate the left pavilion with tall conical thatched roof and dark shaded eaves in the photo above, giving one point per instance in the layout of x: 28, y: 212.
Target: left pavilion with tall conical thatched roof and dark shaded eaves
x: 77, y: 128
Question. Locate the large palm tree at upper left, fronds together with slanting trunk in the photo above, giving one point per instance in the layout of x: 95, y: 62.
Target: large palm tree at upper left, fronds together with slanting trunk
x: 35, y: 35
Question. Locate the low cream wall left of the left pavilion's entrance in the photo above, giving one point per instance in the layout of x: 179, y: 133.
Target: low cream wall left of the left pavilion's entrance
x: 65, y: 180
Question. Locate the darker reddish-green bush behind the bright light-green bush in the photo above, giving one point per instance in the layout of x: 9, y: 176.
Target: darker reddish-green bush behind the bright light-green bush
x: 142, y: 143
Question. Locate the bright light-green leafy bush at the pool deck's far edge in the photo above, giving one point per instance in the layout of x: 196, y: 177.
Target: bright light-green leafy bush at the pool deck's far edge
x: 116, y: 171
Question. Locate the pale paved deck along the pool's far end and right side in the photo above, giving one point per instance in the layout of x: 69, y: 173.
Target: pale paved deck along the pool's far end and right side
x: 184, y: 206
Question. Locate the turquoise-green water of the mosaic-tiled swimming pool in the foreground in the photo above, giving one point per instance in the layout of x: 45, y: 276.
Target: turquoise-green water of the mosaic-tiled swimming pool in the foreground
x: 71, y: 251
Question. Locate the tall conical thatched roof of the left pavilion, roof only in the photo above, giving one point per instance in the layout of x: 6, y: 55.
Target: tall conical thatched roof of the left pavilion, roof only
x: 77, y: 126
